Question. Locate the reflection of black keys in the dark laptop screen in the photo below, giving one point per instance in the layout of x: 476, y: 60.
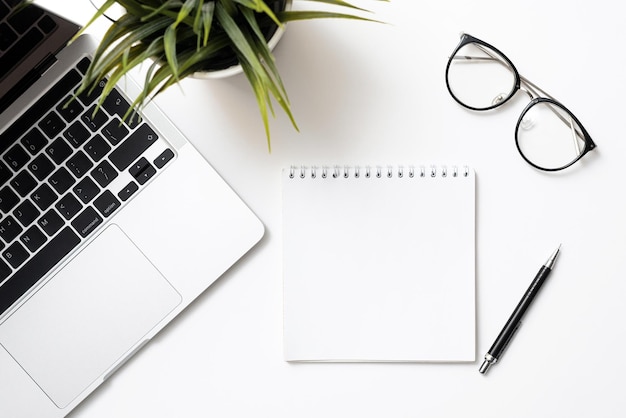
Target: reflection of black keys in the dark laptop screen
x: 20, y: 32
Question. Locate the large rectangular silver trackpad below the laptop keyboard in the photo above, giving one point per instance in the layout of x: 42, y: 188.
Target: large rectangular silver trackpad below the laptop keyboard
x: 87, y: 317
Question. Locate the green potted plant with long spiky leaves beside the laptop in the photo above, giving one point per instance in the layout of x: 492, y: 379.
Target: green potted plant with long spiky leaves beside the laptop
x: 184, y: 37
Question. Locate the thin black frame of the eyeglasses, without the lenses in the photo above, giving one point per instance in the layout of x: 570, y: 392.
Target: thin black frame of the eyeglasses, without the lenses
x: 531, y: 90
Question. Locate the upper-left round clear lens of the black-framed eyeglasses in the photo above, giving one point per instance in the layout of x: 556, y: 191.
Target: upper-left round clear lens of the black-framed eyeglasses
x: 479, y: 77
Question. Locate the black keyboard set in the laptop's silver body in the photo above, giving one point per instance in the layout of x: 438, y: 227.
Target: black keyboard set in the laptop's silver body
x: 63, y: 171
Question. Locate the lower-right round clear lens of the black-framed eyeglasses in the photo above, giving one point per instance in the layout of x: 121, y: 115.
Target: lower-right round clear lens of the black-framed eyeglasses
x: 548, y: 136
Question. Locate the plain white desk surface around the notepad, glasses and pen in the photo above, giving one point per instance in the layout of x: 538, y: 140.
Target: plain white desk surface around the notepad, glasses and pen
x: 368, y: 93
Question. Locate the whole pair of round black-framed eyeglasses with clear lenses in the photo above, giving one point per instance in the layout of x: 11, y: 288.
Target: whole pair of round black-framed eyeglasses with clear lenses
x: 548, y: 136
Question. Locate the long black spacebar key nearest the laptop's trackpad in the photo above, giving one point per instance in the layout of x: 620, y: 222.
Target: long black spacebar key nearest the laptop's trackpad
x: 37, y: 267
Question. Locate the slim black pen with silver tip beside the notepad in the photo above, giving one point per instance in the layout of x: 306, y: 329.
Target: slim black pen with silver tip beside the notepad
x: 515, y: 320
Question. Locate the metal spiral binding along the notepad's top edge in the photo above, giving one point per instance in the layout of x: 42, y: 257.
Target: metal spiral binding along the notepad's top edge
x: 378, y: 171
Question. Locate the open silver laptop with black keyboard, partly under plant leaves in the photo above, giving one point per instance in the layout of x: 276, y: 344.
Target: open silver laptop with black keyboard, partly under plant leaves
x: 108, y: 228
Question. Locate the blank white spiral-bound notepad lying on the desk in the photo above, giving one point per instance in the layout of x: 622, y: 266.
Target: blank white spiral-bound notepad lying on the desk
x: 379, y: 263
